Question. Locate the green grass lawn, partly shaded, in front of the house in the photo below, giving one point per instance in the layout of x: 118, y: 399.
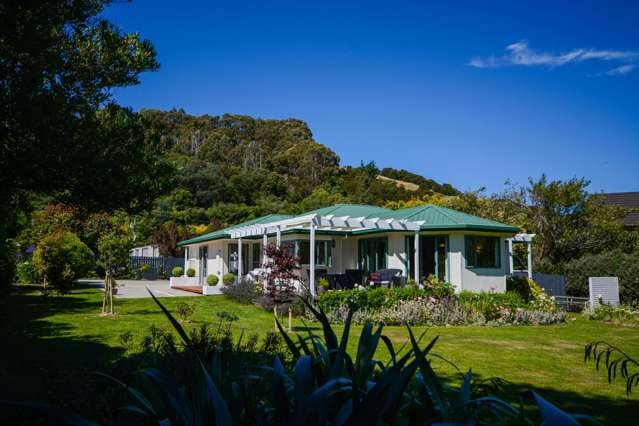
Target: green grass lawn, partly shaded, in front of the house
x: 50, y: 346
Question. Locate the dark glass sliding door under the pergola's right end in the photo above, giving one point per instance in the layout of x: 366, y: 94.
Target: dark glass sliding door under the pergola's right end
x: 433, y: 256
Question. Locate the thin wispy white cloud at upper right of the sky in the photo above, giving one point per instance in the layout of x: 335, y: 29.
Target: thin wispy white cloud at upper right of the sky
x: 520, y: 54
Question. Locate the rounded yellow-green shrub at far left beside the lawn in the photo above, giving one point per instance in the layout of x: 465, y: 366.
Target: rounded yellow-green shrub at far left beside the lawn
x: 60, y: 258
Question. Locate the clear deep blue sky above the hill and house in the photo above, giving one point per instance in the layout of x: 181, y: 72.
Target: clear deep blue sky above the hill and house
x: 469, y: 94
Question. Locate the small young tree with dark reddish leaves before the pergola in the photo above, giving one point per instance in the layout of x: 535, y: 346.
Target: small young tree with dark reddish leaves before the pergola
x: 280, y: 280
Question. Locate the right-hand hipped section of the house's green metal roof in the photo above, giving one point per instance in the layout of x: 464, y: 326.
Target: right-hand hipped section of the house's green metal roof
x: 441, y: 218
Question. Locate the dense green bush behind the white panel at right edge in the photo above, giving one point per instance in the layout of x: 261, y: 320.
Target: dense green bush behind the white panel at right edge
x: 625, y: 266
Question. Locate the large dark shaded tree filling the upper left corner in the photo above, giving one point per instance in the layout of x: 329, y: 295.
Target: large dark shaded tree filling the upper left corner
x: 60, y: 134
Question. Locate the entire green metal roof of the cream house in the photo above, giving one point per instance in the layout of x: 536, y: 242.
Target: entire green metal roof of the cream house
x: 435, y: 218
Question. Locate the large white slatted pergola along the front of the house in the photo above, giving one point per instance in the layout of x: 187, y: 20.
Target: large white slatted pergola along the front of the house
x: 315, y: 222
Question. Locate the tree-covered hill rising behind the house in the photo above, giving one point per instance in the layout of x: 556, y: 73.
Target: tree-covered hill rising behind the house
x: 234, y: 167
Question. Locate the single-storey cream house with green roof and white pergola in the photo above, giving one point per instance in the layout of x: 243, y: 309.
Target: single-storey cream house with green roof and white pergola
x: 470, y: 252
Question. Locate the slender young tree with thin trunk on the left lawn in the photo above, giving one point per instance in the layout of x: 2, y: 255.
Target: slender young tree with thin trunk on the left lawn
x: 113, y: 254
